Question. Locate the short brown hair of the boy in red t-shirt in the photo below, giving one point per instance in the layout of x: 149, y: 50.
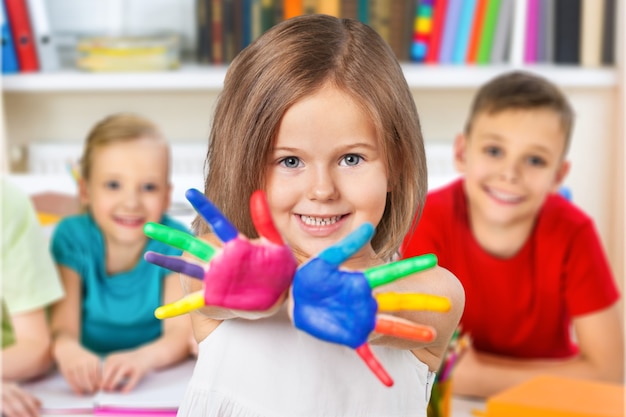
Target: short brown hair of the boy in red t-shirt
x: 521, y: 90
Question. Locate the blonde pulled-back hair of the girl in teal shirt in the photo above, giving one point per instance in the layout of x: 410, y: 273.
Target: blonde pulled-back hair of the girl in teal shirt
x: 119, y: 127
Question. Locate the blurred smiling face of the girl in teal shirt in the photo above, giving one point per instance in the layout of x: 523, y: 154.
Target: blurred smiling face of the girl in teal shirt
x: 128, y: 187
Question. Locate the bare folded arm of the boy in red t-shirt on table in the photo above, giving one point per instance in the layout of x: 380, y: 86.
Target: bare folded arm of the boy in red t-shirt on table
x: 601, y: 357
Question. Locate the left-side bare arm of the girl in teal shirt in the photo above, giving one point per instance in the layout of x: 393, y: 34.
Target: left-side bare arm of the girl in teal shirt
x: 80, y: 367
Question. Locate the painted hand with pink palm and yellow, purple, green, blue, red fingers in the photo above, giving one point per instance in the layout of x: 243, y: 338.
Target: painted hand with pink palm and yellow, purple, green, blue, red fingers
x: 242, y: 275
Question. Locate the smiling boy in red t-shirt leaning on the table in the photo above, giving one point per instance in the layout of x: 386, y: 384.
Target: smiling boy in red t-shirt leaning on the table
x: 540, y: 295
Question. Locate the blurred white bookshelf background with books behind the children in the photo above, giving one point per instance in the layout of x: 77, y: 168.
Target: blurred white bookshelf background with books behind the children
x: 166, y: 60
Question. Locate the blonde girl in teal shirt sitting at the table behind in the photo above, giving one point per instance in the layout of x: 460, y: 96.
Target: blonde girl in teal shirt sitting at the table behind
x: 105, y: 333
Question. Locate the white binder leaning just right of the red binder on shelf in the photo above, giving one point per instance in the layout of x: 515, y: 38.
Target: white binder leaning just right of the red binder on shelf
x: 43, y: 38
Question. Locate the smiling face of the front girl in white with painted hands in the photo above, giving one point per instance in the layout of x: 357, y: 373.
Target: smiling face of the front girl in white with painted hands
x: 326, y: 174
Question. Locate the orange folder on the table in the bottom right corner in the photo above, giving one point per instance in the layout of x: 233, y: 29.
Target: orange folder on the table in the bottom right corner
x: 550, y: 396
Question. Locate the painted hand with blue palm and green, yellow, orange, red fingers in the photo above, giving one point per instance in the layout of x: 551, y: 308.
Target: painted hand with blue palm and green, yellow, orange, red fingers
x: 338, y: 306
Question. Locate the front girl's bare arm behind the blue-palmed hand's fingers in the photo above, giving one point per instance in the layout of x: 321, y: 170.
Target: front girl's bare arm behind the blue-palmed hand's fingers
x: 435, y: 281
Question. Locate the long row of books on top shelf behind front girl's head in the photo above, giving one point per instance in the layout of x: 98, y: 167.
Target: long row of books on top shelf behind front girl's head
x: 567, y: 32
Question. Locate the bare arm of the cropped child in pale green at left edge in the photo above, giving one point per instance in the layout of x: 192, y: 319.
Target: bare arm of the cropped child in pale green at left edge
x: 30, y: 355
